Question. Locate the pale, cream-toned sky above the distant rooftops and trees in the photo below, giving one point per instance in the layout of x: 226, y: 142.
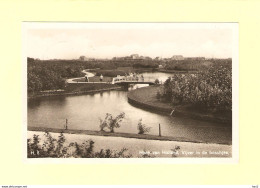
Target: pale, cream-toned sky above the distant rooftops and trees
x: 96, y: 40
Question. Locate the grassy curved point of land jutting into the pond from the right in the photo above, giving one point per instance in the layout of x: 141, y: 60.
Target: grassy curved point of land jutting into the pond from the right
x: 146, y: 98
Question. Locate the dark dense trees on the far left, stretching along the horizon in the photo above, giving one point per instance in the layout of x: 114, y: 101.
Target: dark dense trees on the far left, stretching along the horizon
x: 51, y: 74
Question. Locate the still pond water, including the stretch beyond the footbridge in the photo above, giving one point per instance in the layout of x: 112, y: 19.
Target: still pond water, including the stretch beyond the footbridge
x: 83, y: 112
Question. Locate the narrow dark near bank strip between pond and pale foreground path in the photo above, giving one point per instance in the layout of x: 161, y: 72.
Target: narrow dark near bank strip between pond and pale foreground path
x: 120, y: 134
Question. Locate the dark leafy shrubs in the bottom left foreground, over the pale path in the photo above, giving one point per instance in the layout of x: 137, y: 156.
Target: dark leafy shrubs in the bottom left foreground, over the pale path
x: 55, y: 149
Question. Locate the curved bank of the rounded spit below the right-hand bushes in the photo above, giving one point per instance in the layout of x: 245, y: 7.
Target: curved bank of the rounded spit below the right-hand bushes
x: 160, y: 107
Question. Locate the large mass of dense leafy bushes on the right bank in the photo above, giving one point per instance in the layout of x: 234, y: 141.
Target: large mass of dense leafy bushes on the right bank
x: 210, y: 89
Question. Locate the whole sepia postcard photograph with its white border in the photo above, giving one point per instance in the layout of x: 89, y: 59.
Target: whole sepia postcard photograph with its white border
x: 130, y: 90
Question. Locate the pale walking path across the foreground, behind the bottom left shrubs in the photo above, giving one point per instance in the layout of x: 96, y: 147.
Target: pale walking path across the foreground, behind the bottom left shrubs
x: 139, y: 147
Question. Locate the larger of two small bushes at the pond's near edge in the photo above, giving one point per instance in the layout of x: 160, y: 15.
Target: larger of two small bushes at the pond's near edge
x: 110, y: 122
